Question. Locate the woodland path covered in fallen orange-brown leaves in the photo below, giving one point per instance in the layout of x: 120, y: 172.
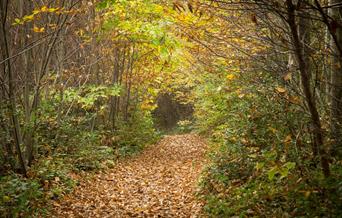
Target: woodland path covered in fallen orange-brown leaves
x: 159, y: 182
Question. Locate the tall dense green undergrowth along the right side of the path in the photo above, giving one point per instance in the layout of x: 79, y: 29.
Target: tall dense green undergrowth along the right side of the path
x: 260, y: 166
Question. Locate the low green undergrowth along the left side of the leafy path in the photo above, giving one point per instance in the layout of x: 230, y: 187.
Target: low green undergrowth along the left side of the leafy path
x: 67, y: 151
